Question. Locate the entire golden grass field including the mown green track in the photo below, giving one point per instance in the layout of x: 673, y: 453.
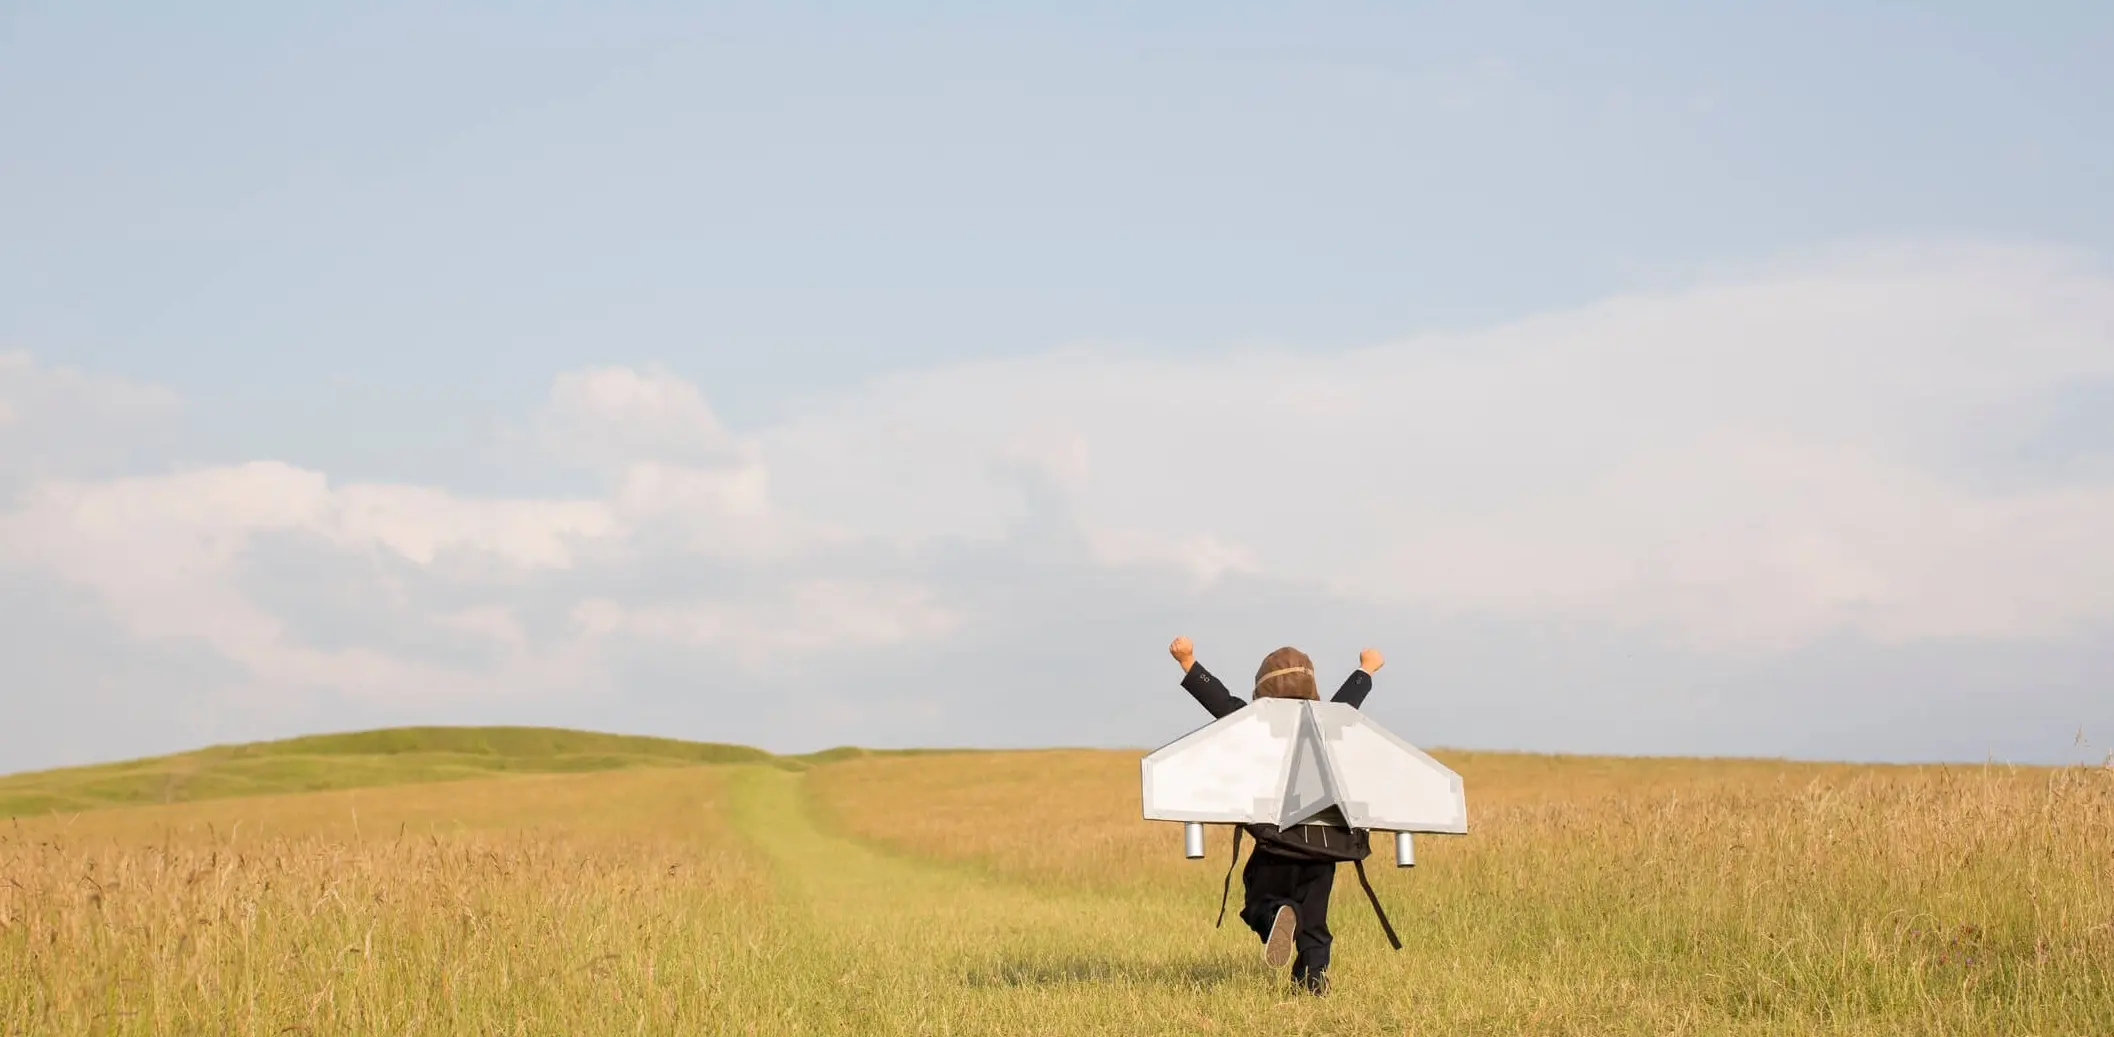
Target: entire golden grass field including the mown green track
x: 914, y: 894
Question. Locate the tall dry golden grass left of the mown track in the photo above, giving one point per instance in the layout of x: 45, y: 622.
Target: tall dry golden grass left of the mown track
x: 494, y: 907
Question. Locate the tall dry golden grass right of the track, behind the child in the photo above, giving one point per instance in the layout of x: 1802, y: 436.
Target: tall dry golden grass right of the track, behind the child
x: 1633, y: 897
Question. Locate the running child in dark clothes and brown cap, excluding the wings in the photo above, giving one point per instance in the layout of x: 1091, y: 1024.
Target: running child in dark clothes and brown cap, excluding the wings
x: 1291, y: 873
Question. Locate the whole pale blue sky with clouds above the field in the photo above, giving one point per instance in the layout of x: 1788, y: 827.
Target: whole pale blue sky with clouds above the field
x: 1652, y: 379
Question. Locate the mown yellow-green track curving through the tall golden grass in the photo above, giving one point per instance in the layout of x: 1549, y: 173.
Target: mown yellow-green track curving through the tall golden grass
x: 931, y: 941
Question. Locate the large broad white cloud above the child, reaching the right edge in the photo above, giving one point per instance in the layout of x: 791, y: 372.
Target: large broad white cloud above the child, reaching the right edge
x: 1749, y: 464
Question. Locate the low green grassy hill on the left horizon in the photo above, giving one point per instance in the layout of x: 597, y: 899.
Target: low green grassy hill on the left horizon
x: 365, y: 759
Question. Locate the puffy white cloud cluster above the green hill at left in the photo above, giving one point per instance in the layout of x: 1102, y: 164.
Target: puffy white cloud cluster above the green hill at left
x: 166, y: 557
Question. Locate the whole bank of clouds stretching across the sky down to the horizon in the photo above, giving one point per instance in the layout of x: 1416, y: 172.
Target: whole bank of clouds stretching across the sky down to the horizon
x: 1851, y: 506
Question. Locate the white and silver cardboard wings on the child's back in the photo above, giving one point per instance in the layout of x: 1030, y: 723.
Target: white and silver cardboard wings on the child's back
x: 1288, y: 761
